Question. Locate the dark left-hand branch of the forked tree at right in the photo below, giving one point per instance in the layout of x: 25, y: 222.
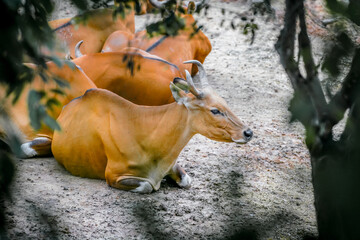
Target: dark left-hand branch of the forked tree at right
x: 310, y: 102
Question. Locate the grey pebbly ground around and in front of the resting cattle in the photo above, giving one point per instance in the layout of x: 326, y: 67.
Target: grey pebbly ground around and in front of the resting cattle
x: 260, y: 189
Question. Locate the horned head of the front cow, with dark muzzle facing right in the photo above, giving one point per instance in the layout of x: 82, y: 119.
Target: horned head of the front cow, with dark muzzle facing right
x: 209, y: 113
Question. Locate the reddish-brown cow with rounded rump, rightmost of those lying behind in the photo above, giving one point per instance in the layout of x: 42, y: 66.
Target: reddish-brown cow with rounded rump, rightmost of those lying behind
x: 174, y: 49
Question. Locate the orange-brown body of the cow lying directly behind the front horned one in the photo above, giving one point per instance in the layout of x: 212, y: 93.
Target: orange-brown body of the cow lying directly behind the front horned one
x: 146, y: 83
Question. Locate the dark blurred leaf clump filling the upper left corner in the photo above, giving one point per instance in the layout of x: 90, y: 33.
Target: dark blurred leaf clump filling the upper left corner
x: 24, y: 30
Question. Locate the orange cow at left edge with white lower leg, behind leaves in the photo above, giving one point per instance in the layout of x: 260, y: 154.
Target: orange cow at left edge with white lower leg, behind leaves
x: 38, y: 142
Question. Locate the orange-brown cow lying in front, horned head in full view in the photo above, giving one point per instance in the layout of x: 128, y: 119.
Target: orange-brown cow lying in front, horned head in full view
x: 134, y: 147
